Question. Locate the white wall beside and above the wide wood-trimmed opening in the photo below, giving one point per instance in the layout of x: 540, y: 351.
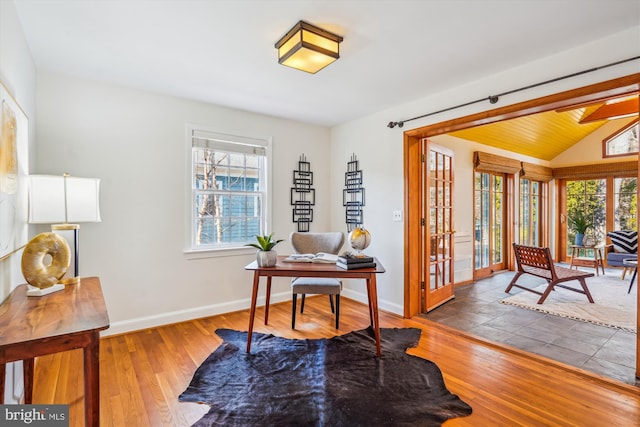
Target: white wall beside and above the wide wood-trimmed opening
x: 380, y: 149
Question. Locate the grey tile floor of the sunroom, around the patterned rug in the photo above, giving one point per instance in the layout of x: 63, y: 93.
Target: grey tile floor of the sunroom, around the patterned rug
x: 476, y: 309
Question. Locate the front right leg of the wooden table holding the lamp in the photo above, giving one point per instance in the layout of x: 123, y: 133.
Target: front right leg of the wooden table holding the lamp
x: 92, y: 381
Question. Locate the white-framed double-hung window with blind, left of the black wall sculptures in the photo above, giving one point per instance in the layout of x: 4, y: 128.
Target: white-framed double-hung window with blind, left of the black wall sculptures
x: 229, y: 189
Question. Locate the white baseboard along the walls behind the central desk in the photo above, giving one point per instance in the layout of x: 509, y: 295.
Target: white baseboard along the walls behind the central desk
x: 215, y: 309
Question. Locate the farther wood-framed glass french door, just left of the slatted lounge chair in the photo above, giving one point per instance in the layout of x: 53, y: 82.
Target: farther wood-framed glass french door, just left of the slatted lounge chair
x: 490, y: 202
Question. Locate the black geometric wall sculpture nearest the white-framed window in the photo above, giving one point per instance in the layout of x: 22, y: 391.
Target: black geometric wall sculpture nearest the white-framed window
x: 303, y: 196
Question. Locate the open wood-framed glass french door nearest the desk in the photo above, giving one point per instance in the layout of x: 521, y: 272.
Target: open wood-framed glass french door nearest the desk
x: 437, y: 218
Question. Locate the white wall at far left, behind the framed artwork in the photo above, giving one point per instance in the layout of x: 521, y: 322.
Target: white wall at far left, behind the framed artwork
x: 17, y: 73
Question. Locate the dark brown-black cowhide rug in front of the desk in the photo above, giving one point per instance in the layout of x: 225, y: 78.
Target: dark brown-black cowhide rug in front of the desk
x: 321, y: 382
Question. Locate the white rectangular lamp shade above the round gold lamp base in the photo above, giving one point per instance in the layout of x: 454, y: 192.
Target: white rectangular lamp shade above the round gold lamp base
x: 63, y: 199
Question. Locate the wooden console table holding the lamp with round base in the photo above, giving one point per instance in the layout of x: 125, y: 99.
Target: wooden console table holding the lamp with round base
x: 61, y: 321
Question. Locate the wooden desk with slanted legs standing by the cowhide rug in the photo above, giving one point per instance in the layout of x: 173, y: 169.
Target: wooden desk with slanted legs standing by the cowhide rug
x: 308, y: 269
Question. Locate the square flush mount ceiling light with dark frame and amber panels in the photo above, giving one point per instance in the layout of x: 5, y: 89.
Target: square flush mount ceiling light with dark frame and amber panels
x: 308, y: 48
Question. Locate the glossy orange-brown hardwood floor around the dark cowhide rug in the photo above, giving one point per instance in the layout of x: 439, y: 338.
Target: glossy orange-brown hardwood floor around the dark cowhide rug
x: 142, y: 373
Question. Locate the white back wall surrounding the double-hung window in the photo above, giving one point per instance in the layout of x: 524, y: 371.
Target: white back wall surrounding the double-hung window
x: 135, y: 143
